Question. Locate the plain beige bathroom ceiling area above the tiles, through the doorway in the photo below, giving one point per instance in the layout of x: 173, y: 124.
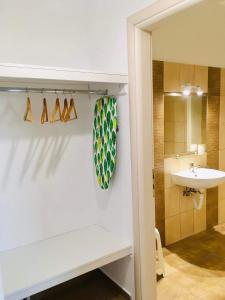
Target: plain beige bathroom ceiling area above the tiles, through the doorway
x: 193, y: 36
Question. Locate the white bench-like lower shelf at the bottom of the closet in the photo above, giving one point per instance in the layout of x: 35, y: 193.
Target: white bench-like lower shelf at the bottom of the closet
x: 30, y: 269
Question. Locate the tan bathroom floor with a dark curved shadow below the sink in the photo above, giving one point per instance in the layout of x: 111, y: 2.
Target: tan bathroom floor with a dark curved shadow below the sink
x: 195, y: 268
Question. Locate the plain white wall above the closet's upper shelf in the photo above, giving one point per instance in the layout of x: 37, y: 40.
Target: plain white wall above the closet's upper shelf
x: 81, y: 34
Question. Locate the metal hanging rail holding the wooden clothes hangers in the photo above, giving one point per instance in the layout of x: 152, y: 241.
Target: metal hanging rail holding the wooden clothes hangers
x: 55, y: 91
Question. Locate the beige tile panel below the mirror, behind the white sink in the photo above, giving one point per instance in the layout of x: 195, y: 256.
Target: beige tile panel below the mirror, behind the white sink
x: 181, y: 218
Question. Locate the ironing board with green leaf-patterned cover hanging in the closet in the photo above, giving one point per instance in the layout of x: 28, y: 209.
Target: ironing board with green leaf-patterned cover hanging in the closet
x: 104, y: 139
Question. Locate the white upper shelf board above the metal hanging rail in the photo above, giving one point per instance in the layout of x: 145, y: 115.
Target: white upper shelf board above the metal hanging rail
x: 34, y: 73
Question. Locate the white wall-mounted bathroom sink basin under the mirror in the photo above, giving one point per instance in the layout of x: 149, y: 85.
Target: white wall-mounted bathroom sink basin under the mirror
x: 199, y: 178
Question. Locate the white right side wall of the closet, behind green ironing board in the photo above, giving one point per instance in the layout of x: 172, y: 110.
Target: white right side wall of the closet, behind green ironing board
x: 114, y: 206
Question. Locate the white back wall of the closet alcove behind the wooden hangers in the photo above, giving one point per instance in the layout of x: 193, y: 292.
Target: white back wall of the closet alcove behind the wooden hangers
x: 46, y: 178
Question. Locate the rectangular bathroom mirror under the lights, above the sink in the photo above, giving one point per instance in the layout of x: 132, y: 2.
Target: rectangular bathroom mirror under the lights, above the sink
x: 184, y: 124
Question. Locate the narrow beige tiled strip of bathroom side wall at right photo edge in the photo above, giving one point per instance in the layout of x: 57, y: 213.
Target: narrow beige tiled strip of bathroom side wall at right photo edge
x: 221, y: 198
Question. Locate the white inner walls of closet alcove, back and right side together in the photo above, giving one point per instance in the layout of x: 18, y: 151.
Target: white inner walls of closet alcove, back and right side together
x: 47, y: 180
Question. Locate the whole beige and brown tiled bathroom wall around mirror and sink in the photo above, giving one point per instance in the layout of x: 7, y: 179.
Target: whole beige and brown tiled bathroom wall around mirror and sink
x: 174, y: 213
